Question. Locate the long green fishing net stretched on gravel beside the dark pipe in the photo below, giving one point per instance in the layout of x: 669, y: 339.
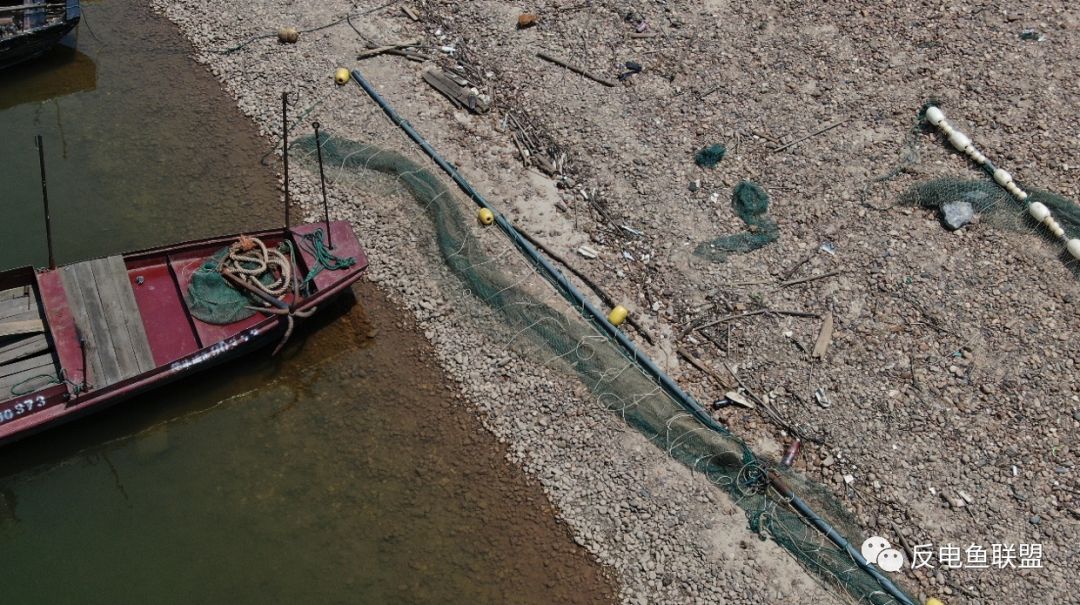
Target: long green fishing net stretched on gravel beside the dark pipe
x: 519, y: 302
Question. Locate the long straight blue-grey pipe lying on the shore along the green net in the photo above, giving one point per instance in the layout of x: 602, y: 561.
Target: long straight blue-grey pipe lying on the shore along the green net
x: 630, y: 349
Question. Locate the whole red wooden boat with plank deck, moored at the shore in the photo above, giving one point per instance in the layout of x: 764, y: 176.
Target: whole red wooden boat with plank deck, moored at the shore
x: 82, y: 338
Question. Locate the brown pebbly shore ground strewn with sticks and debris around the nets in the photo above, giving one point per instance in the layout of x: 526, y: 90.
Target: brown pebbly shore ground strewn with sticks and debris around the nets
x: 952, y: 410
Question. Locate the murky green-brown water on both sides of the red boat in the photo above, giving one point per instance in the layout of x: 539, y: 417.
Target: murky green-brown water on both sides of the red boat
x: 342, y: 472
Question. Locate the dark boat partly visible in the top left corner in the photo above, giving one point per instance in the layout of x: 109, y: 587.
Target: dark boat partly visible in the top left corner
x: 30, y: 29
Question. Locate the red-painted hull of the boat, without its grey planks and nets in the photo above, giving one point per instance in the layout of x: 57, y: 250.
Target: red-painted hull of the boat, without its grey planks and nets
x: 181, y: 345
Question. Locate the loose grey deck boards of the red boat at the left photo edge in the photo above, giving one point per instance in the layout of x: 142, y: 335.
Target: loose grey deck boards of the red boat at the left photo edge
x: 26, y: 357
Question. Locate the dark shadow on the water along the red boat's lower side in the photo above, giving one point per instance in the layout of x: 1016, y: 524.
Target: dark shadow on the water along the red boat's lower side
x: 337, y: 329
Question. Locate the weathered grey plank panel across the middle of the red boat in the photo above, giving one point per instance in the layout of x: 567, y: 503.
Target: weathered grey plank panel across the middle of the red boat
x: 107, y: 320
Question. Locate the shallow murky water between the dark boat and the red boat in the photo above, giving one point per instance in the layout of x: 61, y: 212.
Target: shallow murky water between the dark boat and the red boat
x: 142, y: 147
